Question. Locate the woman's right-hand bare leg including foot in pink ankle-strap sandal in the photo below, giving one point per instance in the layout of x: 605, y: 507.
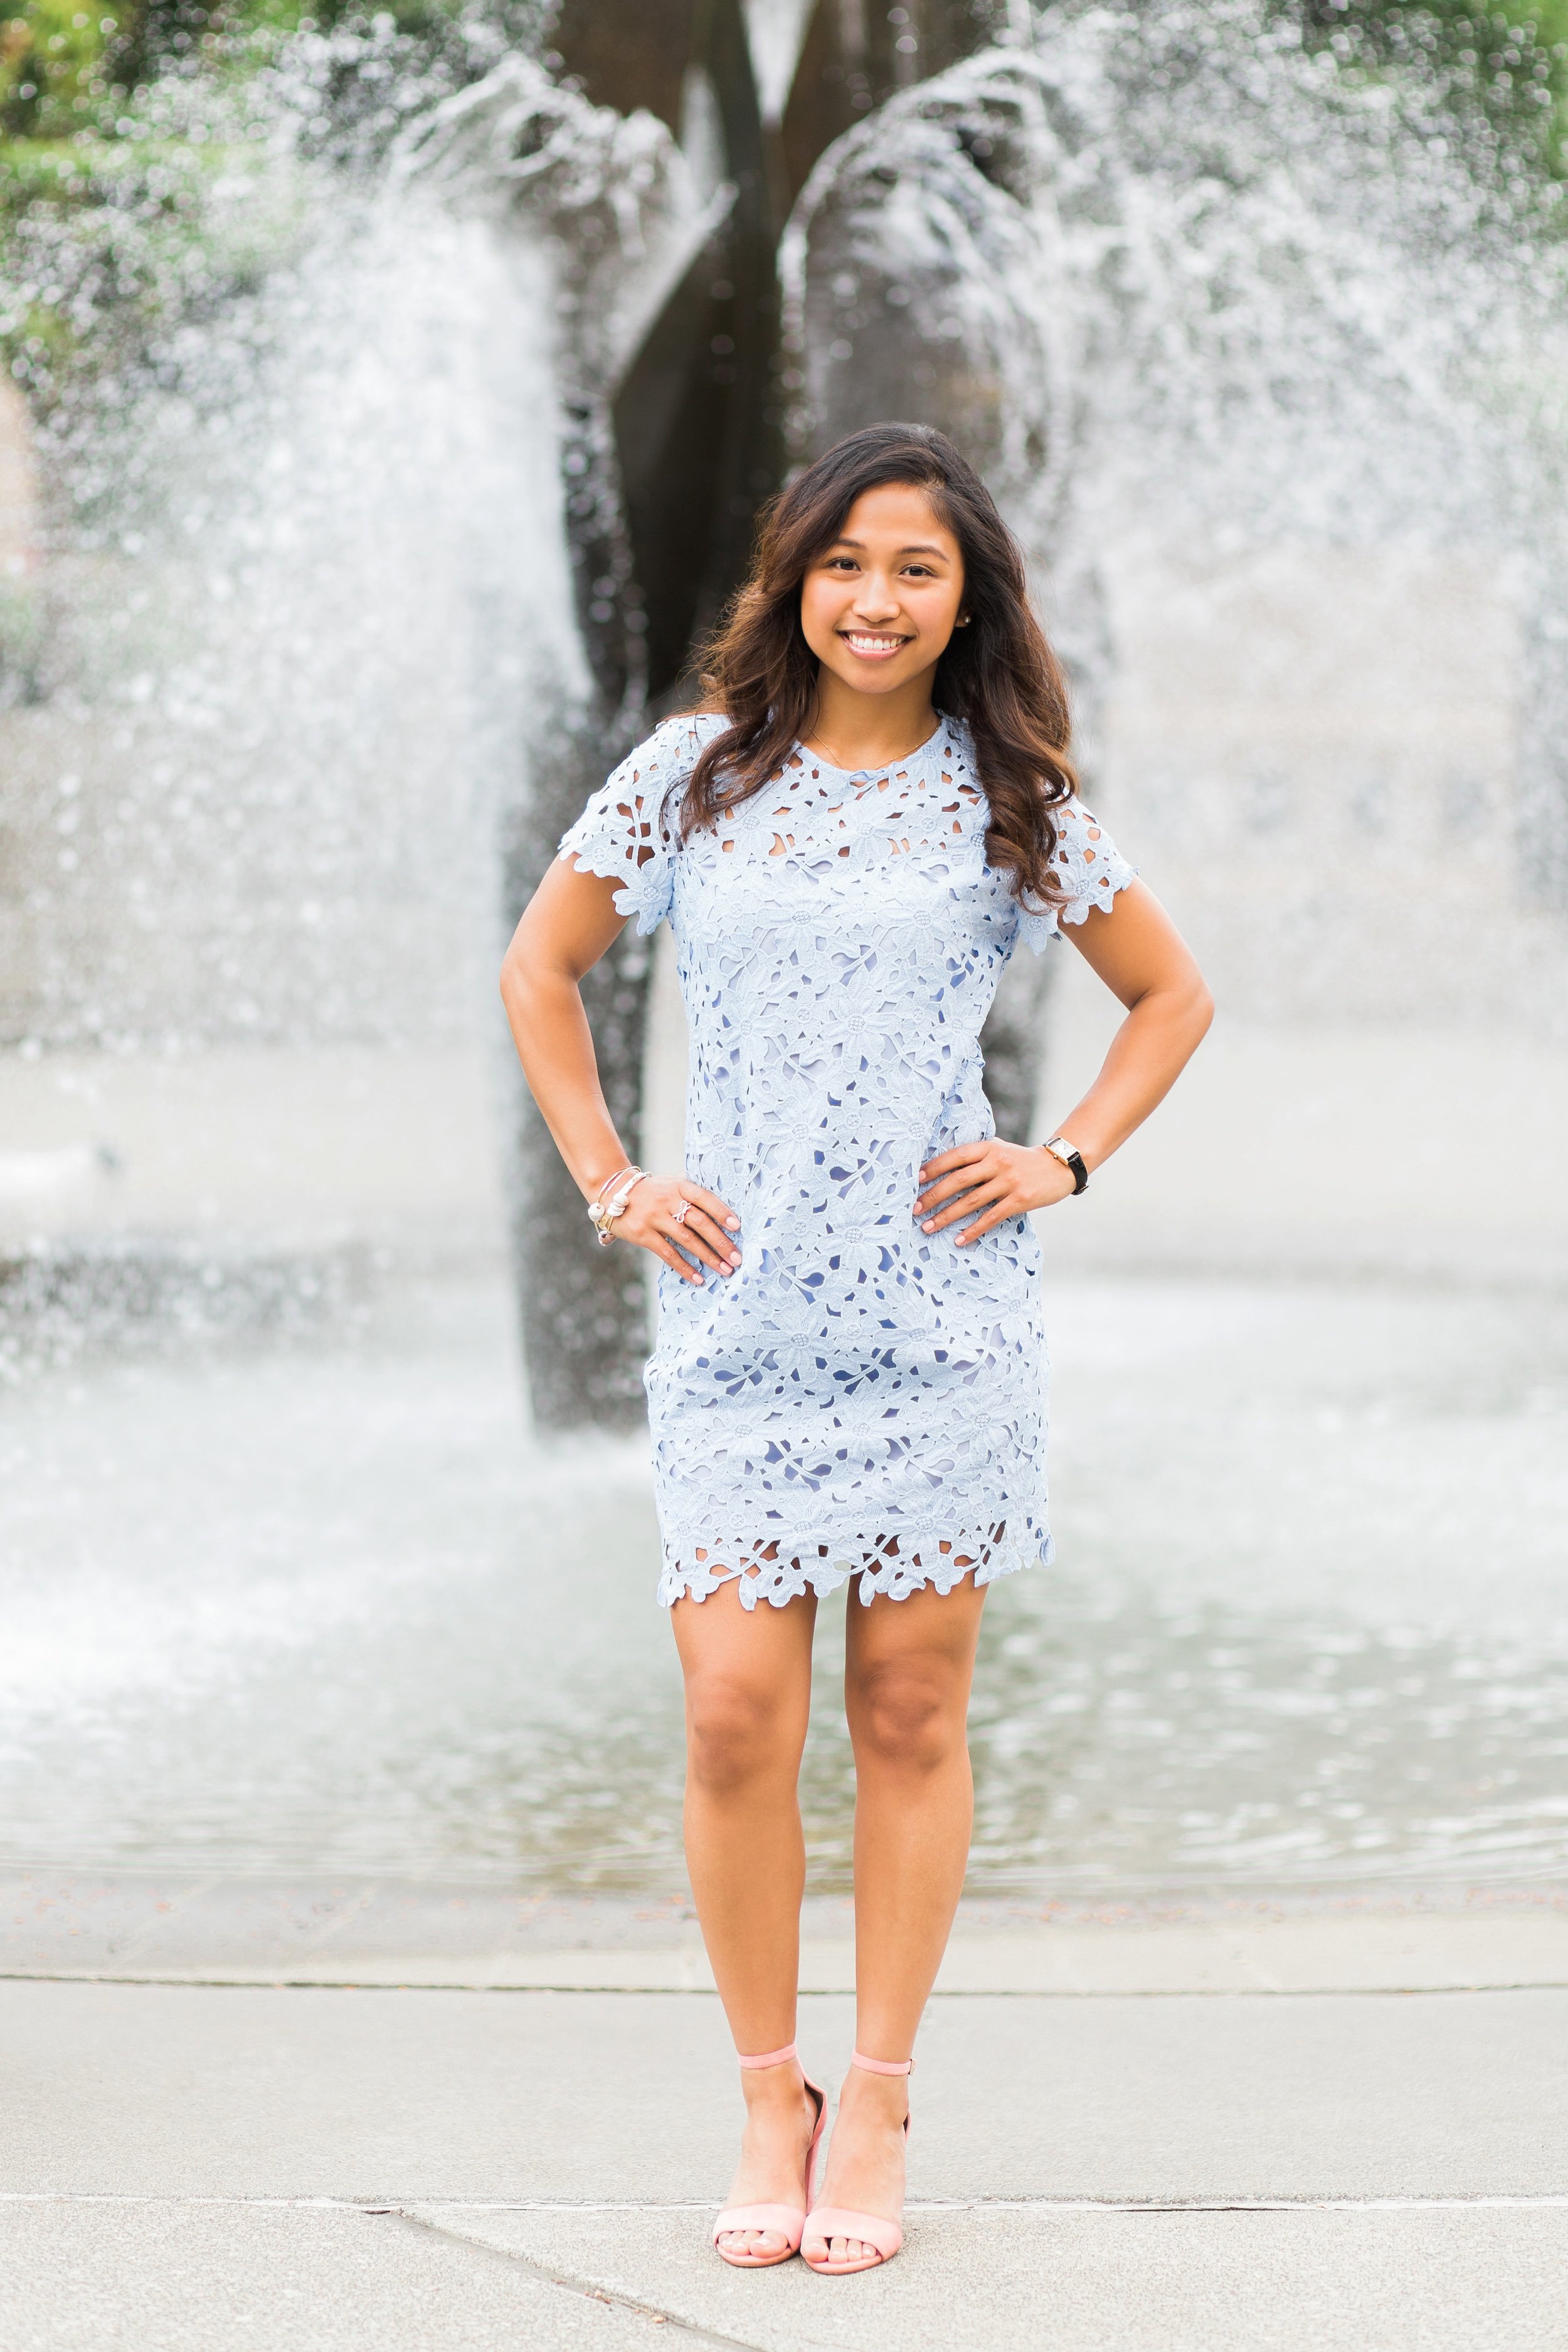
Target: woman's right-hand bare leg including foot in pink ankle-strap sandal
x: 906, y: 1692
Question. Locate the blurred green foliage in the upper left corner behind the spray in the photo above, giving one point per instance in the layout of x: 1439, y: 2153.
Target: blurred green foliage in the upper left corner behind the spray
x: 142, y: 171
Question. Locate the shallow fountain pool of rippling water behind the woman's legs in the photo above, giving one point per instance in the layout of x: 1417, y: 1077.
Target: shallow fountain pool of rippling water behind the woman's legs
x: 323, y: 1605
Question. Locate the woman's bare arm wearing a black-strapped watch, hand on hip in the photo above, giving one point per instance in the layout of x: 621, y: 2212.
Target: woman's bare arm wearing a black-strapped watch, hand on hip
x: 1146, y: 963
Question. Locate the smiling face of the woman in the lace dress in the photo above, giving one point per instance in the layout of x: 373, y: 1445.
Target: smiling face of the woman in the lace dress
x: 880, y: 606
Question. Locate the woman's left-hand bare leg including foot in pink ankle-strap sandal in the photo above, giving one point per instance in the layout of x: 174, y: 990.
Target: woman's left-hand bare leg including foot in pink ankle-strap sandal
x: 749, y: 1699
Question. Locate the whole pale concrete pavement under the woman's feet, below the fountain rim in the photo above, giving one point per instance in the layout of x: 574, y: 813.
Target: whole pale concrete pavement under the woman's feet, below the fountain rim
x: 368, y: 2170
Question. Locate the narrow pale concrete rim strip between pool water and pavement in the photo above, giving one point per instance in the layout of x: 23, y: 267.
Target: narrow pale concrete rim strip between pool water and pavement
x: 264, y: 1930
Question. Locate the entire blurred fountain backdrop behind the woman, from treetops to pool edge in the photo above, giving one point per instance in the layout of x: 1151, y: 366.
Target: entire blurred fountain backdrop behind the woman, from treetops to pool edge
x: 387, y: 403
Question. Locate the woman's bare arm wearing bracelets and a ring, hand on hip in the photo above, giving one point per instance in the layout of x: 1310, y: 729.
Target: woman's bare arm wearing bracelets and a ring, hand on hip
x: 565, y: 930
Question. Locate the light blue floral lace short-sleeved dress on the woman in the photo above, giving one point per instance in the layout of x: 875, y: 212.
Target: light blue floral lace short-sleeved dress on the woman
x: 862, y: 1398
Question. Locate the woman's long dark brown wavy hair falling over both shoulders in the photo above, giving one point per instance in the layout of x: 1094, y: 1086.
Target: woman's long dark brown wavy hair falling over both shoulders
x: 998, y: 676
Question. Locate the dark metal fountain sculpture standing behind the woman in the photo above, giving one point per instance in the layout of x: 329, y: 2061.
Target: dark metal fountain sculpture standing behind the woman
x: 662, y: 493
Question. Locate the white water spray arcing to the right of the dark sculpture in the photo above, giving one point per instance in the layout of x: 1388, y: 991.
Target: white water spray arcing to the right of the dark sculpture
x: 1202, y: 312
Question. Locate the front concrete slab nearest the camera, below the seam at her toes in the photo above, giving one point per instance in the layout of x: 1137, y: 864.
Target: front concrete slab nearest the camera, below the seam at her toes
x: 168, y: 2278
